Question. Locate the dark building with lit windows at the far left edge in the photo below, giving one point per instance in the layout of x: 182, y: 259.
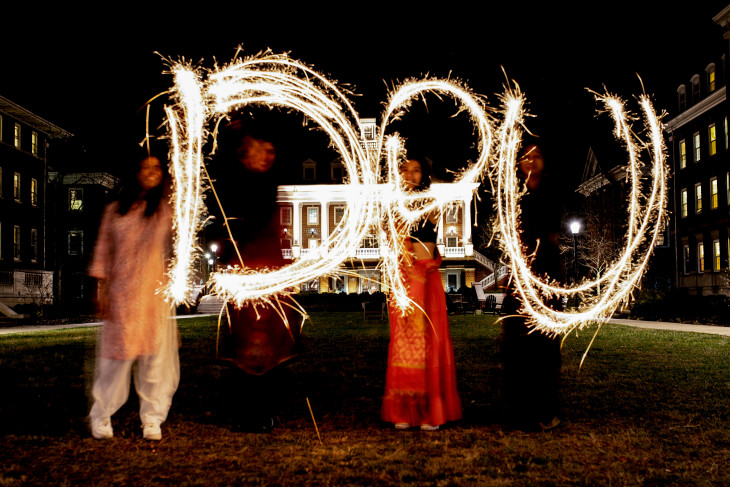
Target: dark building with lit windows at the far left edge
x: 26, y: 274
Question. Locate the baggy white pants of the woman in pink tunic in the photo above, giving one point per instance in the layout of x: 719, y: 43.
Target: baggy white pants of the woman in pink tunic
x: 156, y: 378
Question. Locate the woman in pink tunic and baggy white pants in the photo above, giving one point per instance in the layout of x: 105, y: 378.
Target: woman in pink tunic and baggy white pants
x: 139, y: 328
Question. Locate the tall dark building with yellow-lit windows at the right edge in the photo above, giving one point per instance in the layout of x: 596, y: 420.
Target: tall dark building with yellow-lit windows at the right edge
x: 700, y: 156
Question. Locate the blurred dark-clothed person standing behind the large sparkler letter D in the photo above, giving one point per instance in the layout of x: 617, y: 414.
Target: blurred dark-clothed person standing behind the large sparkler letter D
x: 254, y: 339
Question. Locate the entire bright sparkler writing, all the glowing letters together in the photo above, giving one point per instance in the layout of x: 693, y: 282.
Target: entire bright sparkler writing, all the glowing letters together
x: 201, y: 98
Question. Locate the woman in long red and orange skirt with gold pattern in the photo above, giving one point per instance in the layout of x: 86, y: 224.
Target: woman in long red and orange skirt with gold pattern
x: 420, y: 381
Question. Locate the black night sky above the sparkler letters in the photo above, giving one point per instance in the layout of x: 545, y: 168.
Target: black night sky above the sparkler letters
x: 90, y: 72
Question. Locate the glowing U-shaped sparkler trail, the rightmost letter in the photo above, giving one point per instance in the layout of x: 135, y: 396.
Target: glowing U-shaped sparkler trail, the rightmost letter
x: 602, y: 296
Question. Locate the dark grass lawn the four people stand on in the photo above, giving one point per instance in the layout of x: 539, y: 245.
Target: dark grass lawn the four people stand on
x: 647, y: 408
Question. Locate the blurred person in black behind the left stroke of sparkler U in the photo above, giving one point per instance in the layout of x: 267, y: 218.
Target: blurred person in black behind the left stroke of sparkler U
x: 531, y: 361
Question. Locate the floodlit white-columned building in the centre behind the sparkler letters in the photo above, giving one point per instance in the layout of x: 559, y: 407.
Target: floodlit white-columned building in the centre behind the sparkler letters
x: 309, y: 213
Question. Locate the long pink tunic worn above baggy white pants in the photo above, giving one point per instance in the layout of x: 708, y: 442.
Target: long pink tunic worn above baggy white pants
x: 130, y: 256
